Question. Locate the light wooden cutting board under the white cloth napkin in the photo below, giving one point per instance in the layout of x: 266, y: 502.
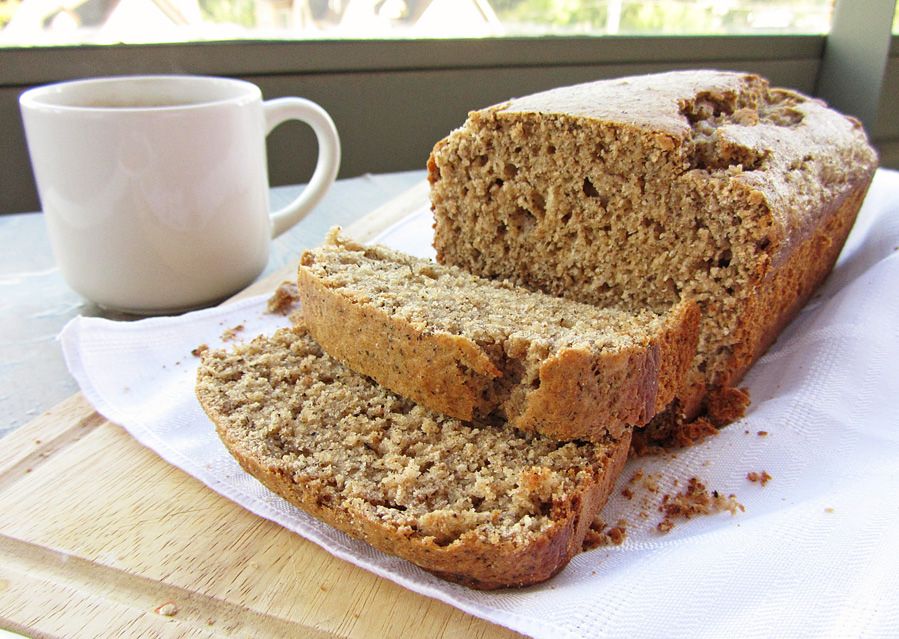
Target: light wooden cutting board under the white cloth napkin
x: 101, y: 538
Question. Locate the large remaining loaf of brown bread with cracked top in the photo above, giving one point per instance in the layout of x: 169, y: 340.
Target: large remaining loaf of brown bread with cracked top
x: 643, y: 191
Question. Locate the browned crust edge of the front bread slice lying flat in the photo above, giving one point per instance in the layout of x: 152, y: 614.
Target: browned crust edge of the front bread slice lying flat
x: 468, y: 560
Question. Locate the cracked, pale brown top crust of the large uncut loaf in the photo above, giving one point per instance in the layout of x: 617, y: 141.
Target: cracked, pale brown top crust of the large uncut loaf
x: 791, y: 152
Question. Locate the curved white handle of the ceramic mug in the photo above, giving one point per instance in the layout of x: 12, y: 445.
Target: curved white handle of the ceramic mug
x: 280, y: 110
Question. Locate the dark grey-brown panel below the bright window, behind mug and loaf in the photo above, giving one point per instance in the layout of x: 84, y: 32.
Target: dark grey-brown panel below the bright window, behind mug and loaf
x: 488, y: 70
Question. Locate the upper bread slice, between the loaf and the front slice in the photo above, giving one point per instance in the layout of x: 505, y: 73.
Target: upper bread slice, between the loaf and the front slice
x: 468, y: 347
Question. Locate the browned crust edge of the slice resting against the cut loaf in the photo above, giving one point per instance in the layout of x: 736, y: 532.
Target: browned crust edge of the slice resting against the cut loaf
x: 580, y: 394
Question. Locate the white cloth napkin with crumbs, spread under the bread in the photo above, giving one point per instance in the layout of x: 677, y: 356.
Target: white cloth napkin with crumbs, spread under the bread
x: 816, y: 552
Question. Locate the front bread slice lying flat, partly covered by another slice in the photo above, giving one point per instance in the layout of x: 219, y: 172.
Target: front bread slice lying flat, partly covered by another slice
x: 476, y: 503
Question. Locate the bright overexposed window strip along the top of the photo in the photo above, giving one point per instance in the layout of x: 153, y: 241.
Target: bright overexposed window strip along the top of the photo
x: 56, y: 22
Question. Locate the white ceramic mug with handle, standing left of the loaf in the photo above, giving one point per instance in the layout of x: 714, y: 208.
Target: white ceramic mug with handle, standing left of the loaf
x: 155, y: 188
